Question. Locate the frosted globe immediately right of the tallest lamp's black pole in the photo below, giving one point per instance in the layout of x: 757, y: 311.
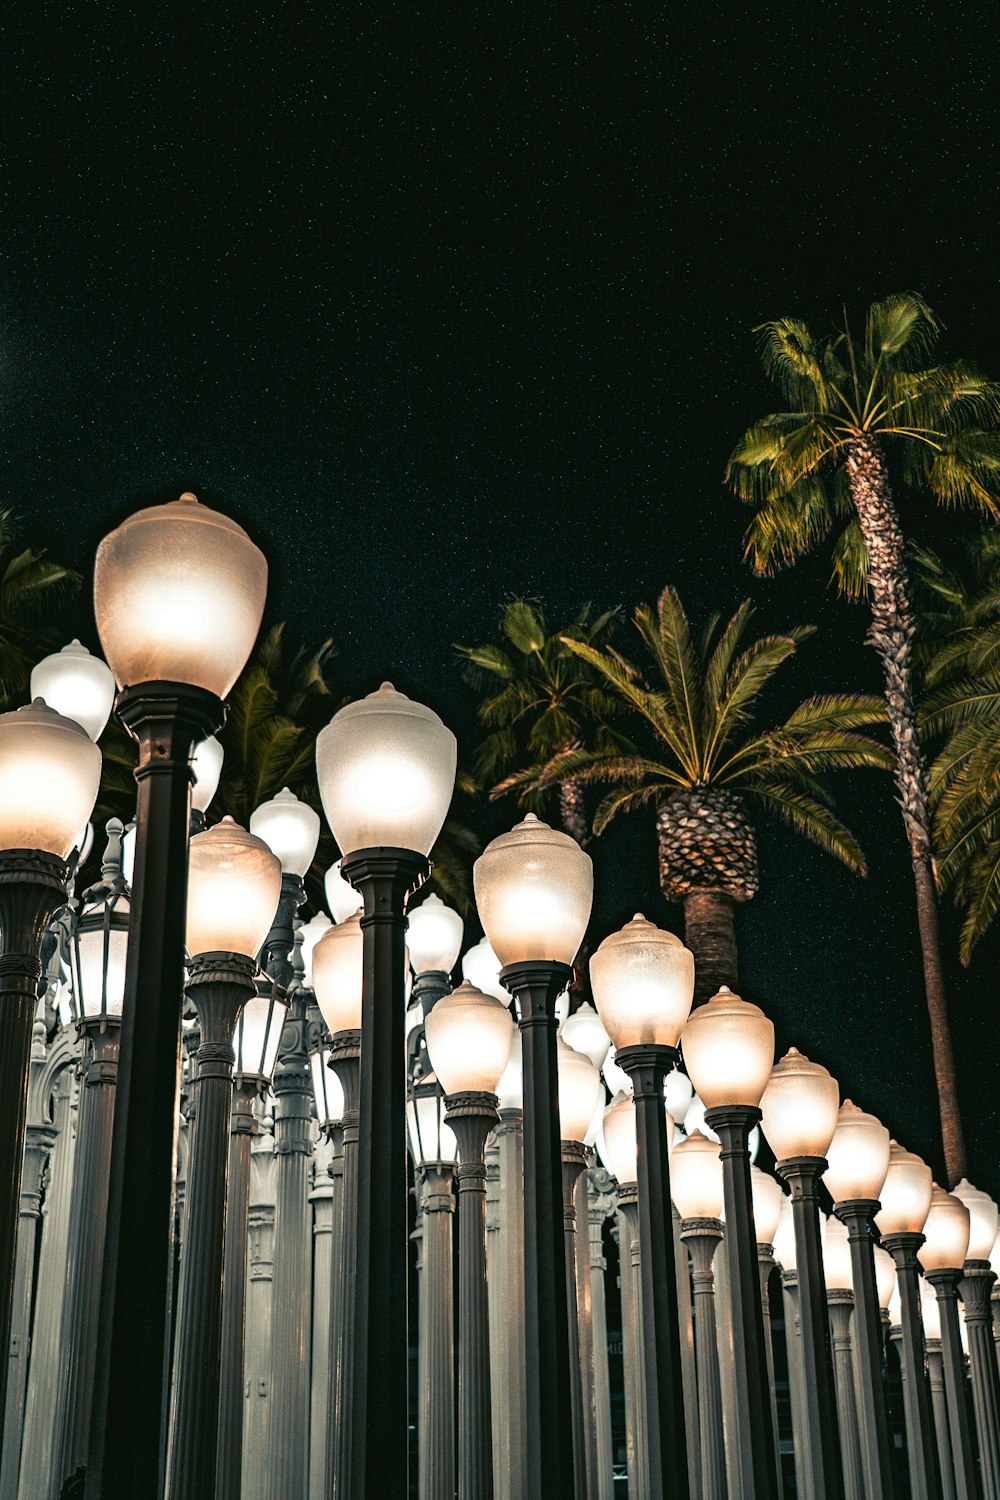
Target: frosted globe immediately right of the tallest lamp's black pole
x: 233, y: 887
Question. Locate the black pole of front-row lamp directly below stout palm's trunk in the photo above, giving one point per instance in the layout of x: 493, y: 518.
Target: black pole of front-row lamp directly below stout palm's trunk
x: 755, y: 1436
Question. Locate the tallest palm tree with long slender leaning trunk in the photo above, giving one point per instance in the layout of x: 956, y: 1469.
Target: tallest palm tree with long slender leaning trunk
x: 858, y: 413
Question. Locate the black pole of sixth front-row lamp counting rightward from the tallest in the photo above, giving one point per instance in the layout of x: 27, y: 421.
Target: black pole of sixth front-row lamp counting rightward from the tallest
x: 822, y: 1457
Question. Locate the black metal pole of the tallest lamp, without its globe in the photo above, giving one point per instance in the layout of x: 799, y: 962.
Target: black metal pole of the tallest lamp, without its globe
x: 127, y: 1436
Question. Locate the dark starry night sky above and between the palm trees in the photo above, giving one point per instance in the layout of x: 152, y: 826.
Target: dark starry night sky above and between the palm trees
x: 446, y: 302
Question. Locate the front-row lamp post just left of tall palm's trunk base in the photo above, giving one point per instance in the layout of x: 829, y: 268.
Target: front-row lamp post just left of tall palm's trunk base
x: 906, y: 1201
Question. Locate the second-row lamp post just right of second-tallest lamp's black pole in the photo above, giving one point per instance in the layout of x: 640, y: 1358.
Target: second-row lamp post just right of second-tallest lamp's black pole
x: 469, y: 1043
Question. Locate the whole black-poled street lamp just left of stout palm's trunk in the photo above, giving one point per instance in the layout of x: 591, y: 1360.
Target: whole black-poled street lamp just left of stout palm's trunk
x: 644, y: 986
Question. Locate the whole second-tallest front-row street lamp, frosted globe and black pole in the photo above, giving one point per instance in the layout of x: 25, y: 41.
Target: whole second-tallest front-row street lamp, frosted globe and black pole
x: 386, y: 773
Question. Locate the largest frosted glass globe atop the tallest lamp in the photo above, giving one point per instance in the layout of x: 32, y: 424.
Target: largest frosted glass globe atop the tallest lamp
x: 179, y: 598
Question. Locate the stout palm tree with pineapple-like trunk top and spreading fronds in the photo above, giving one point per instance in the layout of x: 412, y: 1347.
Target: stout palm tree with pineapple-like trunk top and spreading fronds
x: 705, y: 764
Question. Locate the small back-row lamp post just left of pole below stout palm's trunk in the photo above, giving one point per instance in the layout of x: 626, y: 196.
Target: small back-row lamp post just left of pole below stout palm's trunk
x: 696, y: 1181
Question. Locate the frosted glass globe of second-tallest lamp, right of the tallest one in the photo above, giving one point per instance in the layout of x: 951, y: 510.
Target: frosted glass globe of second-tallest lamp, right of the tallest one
x: 386, y: 770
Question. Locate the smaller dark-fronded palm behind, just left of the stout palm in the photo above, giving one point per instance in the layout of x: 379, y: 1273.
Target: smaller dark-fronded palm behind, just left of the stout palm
x: 539, y: 701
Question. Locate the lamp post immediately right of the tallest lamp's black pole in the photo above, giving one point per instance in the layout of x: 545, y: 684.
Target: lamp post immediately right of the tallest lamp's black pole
x: 235, y: 884
